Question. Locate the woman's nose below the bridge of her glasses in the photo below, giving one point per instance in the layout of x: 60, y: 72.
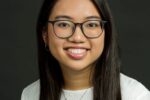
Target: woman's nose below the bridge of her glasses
x: 78, y: 36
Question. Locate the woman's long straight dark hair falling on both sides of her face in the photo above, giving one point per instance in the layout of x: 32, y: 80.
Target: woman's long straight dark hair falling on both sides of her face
x: 106, y: 76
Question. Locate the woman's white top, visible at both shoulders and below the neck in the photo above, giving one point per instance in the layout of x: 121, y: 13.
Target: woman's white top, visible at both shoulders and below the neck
x: 131, y: 89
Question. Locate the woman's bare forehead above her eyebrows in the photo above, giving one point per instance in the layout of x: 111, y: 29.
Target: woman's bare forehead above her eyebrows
x: 76, y: 9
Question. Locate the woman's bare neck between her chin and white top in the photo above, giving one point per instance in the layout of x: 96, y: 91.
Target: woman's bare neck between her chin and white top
x: 76, y: 80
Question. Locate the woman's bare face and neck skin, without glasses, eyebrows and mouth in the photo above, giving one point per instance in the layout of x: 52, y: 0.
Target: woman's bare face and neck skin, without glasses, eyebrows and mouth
x: 76, y: 72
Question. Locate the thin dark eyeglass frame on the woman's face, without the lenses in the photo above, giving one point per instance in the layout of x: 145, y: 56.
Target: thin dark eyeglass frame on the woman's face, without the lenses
x: 102, y: 23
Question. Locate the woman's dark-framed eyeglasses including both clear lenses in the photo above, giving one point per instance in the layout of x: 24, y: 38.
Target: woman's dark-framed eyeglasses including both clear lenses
x: 66, y: 28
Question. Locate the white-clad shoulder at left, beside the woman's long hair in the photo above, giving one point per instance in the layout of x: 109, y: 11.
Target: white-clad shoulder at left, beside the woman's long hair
x: 31, y: 92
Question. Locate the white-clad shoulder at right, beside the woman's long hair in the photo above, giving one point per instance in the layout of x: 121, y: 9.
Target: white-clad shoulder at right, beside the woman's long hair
x: 131, y: 89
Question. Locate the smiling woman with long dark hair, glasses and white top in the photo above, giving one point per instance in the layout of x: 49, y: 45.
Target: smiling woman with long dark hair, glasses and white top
x: 78, y: 55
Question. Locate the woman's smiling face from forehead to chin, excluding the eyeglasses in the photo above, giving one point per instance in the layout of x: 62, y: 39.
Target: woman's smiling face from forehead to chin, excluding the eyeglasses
x: 77, y: 52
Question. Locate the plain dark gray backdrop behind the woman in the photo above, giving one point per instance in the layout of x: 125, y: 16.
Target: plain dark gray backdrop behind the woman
x: 18, y: 54
